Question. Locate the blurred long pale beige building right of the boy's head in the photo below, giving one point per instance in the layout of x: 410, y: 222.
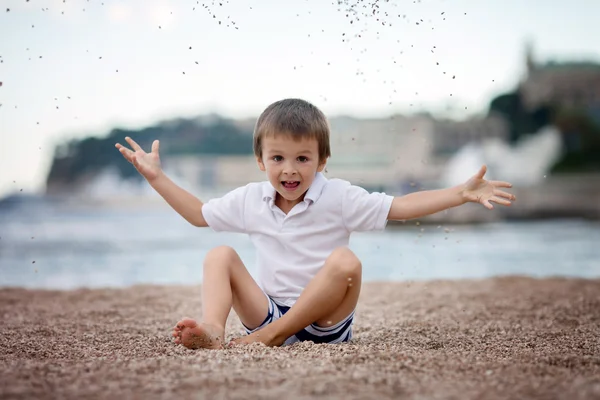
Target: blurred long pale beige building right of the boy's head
x: 400, y: 151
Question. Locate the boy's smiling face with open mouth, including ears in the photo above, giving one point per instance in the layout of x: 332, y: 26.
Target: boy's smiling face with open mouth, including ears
x: 290, y: 166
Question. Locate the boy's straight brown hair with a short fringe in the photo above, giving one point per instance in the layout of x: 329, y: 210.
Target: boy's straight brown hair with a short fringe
x: 297, y: 118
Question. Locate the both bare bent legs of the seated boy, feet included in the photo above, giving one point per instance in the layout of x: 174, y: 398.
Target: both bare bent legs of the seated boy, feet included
x: 329, y: 298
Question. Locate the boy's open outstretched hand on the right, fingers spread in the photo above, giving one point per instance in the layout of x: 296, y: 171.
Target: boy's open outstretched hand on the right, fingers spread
x: 478, y: 190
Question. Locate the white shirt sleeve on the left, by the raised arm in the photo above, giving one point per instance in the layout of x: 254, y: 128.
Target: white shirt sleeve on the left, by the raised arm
x: 226, y: 214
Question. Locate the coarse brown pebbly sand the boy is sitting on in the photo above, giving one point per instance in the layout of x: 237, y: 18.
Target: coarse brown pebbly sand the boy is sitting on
x: 505, y: 338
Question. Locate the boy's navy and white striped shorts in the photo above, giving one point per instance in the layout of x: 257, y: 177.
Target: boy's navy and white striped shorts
x: 338, y: 333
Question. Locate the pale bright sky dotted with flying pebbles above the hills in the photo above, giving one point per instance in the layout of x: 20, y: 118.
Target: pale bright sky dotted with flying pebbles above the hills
x: 75, y: 68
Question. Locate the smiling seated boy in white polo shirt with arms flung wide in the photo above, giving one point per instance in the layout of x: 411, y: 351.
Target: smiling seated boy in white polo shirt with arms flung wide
x: 300, y: 222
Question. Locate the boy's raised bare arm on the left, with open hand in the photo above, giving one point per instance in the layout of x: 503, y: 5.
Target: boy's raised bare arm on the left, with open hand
x: 148, y: 165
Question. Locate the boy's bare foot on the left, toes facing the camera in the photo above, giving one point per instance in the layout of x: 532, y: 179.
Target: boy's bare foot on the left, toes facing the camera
x: 195, y: 336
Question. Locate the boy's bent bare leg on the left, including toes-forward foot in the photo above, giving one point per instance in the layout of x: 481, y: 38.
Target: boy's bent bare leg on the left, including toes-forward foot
x: 226, y: 283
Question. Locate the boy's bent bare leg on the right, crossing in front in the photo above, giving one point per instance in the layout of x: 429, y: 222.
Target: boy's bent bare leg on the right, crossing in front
x: 329, y: 298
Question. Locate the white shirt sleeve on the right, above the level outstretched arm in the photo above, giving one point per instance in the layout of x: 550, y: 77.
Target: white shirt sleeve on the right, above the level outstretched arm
x: 363, y: 211
